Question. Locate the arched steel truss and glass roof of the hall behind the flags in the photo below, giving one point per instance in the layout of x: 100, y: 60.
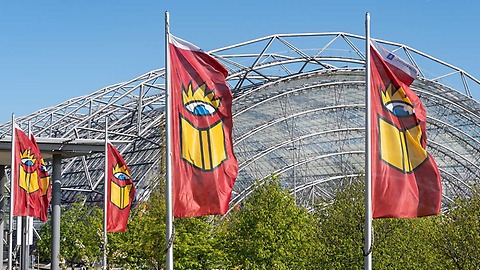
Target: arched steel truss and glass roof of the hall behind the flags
x: 298, y: 109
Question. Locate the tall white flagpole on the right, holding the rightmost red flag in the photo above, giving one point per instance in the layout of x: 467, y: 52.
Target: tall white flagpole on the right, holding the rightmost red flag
x: 367, y: 250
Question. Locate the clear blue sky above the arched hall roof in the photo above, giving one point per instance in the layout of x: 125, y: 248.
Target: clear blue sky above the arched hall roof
x: 53, y: 50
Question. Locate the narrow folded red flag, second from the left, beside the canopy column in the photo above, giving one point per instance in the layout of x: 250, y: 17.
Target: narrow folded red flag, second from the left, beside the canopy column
x: 44, y: 181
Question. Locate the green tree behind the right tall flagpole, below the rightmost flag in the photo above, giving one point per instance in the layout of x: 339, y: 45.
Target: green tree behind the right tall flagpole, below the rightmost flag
x: 397, y: 243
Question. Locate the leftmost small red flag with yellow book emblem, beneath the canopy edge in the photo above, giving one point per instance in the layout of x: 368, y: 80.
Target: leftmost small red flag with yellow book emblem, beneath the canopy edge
x: 27, y: 191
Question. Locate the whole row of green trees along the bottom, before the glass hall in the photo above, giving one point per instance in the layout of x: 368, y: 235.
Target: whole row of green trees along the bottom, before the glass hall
x: 269, y: 231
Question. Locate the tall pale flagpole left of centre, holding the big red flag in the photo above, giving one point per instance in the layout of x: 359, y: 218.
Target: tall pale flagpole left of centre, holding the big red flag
x: 168, y: 197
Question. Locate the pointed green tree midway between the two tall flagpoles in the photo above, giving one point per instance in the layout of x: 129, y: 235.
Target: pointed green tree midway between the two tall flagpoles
x: 269, y: 232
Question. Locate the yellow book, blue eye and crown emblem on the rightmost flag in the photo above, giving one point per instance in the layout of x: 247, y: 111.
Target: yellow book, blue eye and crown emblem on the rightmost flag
x: 400, y: 146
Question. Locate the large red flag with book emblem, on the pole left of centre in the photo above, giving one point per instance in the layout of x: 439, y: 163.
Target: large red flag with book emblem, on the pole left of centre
x: 204, y: 167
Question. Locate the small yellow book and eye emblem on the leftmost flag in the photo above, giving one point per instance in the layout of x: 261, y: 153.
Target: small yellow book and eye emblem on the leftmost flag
x: 28, y: 176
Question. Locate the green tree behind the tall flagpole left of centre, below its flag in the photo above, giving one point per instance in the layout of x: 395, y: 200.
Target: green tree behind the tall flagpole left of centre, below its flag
x: 143, y: 245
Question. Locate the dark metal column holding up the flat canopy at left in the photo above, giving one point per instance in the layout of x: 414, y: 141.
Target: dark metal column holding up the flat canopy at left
x: 56, y: 210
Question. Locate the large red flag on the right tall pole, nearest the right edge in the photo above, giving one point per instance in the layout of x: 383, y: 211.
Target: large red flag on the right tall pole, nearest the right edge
x: 405, y: 178
